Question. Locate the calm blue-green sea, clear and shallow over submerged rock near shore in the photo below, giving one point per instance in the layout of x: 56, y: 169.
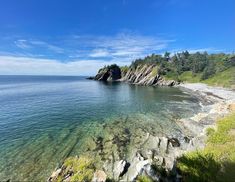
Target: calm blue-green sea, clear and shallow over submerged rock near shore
x: 45, y: 119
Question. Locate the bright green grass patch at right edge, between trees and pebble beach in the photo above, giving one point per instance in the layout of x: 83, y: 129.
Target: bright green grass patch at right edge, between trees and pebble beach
x: 225, y: 78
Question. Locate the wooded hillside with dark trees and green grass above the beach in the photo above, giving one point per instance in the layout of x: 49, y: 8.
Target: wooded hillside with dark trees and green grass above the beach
x: 193, y: 67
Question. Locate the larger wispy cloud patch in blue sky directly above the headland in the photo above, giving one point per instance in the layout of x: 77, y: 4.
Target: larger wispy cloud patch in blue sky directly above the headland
x: 122, y: 45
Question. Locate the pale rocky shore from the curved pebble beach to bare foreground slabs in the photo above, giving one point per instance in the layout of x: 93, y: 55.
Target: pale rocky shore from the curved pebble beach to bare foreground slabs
x: 163, y: 151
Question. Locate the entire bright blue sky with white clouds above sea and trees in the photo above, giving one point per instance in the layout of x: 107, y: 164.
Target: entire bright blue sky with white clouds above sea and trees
x: 77, y: 37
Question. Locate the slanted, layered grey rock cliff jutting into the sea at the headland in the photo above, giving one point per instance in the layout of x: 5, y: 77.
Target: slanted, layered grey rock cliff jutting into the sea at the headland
x: 141, y: 75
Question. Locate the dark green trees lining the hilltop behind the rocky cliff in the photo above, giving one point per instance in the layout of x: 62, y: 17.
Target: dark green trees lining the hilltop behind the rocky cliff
x: 204, y: 64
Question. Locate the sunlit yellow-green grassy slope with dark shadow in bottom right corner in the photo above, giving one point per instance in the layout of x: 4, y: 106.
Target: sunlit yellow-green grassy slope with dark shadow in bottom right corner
x: 217, y: 161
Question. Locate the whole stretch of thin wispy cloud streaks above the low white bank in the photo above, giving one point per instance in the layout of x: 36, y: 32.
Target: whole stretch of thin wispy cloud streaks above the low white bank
x: 123, y: 45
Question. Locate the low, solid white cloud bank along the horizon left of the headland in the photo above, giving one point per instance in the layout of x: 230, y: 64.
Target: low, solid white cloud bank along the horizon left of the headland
x: 10, y: 65
